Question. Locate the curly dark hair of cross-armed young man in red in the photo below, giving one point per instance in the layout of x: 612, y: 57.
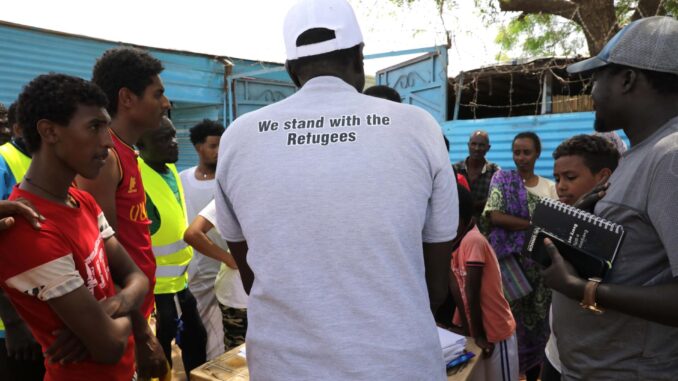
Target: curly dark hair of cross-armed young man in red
x: 54, y: 97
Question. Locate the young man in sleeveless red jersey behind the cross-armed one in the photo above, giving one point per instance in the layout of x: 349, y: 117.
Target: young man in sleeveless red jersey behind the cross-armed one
x: 130, y: 79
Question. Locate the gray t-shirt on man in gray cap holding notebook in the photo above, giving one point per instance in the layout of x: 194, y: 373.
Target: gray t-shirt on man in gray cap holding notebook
x: 616, y: 346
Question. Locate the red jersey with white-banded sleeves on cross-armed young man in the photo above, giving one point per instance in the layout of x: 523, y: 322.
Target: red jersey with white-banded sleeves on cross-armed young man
x: 67, y: 253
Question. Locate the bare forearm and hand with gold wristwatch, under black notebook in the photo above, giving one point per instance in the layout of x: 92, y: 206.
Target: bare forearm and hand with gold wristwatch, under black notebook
x: 653, y: 303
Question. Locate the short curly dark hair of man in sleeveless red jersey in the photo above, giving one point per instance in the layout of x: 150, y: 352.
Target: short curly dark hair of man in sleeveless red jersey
x: 127, y: 67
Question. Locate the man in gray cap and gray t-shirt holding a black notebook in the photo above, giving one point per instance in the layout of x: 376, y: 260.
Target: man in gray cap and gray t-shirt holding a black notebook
x: 625, y: 327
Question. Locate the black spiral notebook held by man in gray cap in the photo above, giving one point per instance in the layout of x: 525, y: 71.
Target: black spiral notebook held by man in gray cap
x: 590, y: 243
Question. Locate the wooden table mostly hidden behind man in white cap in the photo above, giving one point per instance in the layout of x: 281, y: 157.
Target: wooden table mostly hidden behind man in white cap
x: 232, y: 367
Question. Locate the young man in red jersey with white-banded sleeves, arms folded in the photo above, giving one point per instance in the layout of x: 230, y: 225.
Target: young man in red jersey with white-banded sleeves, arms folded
x: 67, y: 275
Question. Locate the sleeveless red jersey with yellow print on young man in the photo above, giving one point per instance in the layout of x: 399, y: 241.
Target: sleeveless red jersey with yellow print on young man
x: 133, y: 223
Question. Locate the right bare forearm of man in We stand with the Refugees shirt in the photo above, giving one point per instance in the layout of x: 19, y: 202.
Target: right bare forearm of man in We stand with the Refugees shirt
x: 437, y: 258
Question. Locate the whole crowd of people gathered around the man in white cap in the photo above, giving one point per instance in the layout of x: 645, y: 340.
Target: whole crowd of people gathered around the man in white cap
x: 332, y: 261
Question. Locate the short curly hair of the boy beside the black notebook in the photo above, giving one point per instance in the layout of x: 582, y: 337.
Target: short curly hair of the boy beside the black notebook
x: 597, y: 152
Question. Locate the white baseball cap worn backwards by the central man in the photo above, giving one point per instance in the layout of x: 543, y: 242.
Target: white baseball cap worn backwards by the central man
x: 335, y: 15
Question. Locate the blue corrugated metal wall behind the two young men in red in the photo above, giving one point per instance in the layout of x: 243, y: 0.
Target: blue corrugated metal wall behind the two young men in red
x: 194, y: 83
